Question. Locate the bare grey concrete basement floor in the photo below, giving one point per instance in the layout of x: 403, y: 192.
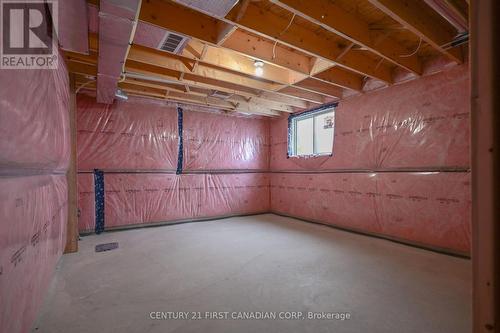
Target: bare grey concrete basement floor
x: 263, y: 263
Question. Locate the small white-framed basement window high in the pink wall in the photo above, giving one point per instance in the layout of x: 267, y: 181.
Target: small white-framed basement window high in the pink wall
x: 311, y: 133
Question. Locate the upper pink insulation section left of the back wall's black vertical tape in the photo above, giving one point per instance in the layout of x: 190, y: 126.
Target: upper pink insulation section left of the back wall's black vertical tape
x: 127, y: 135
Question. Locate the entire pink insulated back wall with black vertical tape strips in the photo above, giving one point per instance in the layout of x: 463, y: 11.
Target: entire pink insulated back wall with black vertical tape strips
x: 136, y: 144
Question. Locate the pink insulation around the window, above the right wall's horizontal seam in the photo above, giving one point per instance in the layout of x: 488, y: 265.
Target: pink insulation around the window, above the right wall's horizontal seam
x: 419, y: 124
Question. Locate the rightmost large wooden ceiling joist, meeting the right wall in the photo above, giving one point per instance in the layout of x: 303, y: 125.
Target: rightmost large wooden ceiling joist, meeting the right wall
x: 422, y: 21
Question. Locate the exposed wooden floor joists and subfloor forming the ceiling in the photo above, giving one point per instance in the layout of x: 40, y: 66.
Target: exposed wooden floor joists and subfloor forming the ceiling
x: 310, y: 52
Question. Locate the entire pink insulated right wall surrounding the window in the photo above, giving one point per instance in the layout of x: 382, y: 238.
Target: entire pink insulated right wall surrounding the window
x: 399, y: 166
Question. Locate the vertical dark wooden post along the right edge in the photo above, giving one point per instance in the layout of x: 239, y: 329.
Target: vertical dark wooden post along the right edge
x: 485, y: 165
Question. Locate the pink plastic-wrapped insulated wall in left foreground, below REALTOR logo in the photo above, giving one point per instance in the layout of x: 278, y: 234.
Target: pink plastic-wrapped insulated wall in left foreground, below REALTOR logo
x: 34, y: 157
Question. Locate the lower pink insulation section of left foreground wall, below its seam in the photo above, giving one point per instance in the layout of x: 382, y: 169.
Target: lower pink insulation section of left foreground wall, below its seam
x: 32, y: 236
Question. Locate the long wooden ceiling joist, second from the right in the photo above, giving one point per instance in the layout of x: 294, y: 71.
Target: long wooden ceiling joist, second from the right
x: 339, y: 21
